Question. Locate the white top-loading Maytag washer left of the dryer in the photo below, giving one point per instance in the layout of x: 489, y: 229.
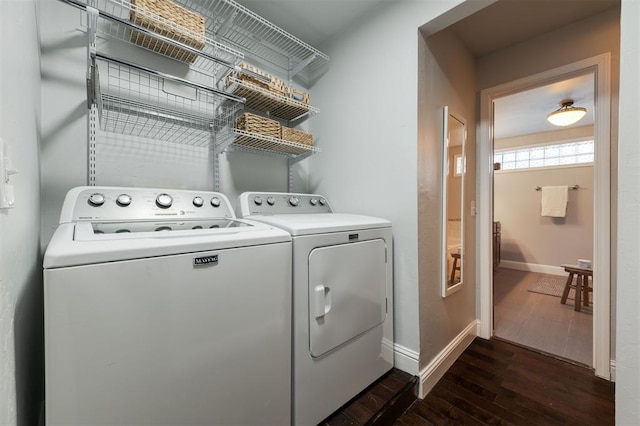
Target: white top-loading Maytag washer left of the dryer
x: 161, y: 308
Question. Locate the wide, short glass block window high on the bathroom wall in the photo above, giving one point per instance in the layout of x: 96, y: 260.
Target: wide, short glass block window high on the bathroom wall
x: 557, y: 155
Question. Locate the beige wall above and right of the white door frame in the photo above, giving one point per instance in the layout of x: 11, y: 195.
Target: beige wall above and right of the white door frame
x: 584, y: 39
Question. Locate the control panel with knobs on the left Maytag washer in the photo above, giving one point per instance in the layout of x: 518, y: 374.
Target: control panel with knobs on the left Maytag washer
x: 115, y: 203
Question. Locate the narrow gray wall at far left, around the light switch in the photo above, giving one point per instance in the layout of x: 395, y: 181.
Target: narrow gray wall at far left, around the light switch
x: 21, y: 333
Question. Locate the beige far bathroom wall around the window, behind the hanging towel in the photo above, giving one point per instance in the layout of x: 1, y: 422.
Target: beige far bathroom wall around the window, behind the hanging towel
x: 526, y: 236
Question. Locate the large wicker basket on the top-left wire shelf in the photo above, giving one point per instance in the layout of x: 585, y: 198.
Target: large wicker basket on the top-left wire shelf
x: 171, y: 20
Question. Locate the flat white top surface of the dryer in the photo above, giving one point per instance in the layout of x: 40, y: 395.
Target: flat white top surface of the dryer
x: 307, y: 224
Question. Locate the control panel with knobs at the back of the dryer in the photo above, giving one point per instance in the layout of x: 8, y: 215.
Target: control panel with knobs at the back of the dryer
x: 265, y: 203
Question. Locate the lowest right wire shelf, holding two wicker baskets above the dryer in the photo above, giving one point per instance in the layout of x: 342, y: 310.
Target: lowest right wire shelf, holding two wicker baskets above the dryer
x: 240, y: 140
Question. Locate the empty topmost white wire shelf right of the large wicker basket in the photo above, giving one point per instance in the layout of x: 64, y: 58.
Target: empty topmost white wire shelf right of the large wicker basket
x: 237, y: 26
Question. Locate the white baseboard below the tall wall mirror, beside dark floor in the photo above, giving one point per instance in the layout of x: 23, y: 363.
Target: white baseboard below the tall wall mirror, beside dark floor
x: 433, y: 372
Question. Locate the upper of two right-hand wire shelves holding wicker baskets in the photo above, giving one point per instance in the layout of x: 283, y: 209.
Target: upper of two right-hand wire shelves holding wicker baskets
x: 262, y: 99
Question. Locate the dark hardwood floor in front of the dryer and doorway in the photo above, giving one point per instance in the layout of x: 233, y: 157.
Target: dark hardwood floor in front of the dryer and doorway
x: 493, y: 382
